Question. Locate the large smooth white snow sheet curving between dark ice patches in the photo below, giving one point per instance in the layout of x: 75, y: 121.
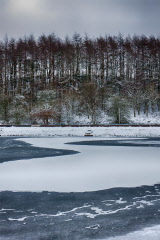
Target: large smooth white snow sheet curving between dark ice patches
x: 94, y: 168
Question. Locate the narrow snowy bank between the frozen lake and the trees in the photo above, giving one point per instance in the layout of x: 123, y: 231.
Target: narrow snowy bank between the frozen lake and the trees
x: 80, y: 131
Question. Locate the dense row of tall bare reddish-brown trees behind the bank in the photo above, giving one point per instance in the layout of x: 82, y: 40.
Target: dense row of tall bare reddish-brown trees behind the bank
x: 92, y: 71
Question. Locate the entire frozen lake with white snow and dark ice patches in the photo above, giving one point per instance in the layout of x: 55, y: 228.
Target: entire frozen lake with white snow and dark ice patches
x: 79, y: 188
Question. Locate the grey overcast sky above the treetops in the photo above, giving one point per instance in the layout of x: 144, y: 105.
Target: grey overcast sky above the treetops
x: 65, y: 17
